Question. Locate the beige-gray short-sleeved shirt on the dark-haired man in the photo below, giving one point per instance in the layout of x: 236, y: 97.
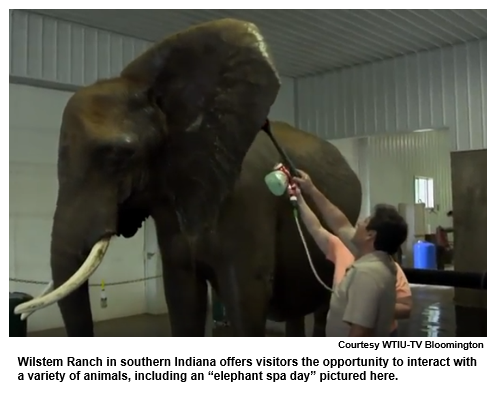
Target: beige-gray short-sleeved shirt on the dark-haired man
x: 367, y: 294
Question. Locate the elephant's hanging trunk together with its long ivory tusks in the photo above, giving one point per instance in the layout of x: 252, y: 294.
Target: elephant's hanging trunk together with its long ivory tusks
x: 84, y: 223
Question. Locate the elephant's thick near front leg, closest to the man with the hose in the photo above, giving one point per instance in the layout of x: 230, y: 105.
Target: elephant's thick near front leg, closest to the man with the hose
x: 245, y: 270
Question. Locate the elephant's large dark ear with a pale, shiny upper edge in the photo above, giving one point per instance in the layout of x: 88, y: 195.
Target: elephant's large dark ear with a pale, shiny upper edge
x: 215, y: 84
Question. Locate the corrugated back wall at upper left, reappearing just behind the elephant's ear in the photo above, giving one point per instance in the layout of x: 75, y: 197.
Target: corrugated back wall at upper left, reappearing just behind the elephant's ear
x: 56, y: 54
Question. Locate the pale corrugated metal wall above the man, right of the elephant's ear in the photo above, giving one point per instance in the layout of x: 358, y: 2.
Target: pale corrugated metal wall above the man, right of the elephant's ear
x: 434, y: 89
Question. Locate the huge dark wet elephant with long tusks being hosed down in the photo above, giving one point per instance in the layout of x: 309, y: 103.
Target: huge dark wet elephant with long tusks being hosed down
x: 178, y: 137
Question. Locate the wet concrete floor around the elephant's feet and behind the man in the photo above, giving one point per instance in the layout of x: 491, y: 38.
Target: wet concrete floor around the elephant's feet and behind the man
x: 434, y: 315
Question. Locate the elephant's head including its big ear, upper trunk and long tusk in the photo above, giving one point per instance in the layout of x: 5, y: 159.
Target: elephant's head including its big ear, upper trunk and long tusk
x: 172, y: 129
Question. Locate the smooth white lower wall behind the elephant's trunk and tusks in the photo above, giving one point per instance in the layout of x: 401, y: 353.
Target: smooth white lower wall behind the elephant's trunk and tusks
x: 34, y: 120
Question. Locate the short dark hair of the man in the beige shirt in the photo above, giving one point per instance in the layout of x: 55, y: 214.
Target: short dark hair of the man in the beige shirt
x: 391, y: 228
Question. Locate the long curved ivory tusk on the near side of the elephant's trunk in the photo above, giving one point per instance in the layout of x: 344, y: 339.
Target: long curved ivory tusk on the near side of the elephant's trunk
x: 76, y: 280
